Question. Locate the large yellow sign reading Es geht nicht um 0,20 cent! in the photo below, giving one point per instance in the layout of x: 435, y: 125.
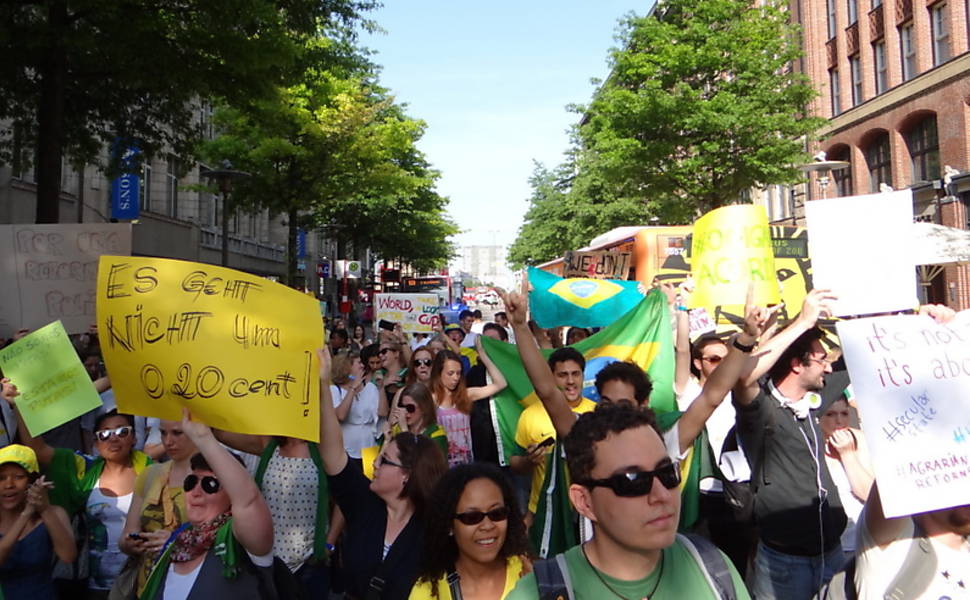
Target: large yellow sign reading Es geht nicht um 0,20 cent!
x: 236, y: 349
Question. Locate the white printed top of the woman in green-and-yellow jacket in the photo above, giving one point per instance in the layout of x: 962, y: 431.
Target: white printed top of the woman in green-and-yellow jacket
x: 106, y: 515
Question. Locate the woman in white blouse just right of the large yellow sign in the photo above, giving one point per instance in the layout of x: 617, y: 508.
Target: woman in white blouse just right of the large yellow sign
x: 357, y: 402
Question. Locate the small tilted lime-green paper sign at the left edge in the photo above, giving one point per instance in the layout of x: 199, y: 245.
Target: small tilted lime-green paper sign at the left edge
x: 54, y: 386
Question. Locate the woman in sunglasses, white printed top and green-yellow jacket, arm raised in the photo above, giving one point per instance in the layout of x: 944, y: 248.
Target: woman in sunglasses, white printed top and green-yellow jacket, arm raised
x: 100, y: 487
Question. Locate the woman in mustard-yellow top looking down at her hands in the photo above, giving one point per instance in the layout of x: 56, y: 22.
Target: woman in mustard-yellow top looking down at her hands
x: 158, y: 506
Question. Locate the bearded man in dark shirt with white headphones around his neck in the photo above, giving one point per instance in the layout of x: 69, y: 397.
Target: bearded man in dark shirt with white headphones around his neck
x: 796, y: 505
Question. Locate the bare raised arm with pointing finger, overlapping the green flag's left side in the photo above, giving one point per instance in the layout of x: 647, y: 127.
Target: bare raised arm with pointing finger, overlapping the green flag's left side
x: 536, y: 366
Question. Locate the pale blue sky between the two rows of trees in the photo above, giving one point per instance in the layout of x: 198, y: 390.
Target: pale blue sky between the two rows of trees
x: 492, y: 81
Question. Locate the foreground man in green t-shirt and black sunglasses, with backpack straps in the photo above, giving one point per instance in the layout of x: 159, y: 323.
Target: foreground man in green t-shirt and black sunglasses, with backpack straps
x: 624, y: 481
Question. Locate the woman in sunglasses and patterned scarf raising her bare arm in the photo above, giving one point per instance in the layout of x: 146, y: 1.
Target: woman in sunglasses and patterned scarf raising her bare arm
x: 225, y: 550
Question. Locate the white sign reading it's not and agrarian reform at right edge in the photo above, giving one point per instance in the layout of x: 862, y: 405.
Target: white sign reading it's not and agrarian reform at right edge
x: 910, y: 377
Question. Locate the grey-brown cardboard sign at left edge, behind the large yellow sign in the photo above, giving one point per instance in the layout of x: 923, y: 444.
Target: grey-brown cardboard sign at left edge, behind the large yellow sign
x: 49, y: 272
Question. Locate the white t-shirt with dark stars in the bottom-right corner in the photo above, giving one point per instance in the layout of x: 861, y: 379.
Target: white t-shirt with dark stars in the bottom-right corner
x: 876, y: 568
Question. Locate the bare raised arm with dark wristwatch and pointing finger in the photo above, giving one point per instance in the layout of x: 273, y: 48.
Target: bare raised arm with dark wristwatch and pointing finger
x: 724, y: 377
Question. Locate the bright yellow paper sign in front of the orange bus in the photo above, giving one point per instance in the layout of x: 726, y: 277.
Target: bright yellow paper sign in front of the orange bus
x: 731, y: 248
